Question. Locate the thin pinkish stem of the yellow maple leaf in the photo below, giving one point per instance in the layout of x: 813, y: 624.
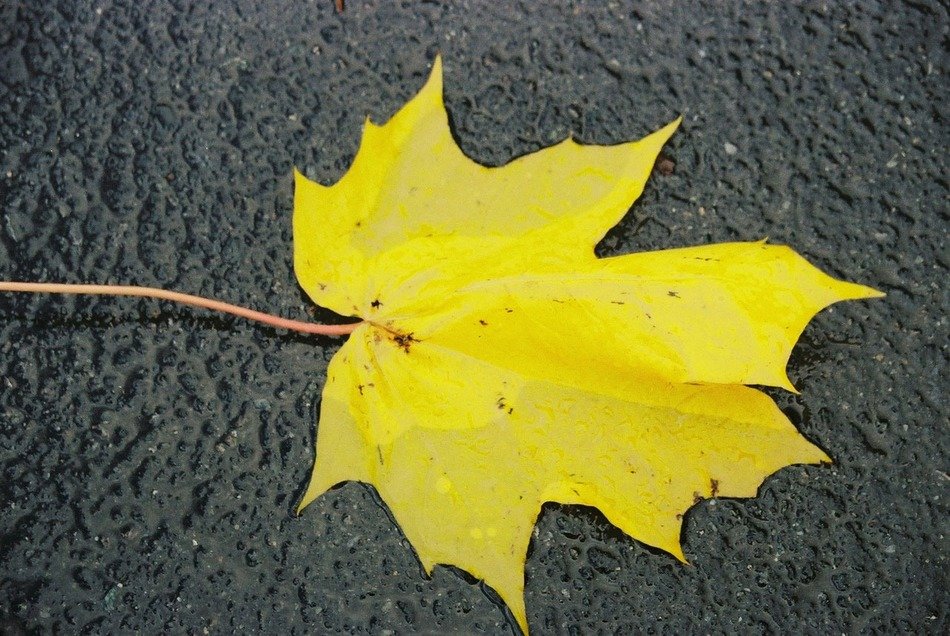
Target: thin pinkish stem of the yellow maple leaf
x: 185, y: 299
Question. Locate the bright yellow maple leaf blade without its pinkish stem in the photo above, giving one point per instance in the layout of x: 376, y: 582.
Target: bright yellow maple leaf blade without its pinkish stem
x: 502, y: 365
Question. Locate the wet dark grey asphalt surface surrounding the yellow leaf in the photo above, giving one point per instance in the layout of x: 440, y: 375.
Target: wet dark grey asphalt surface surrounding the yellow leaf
x: 151, y: 456
